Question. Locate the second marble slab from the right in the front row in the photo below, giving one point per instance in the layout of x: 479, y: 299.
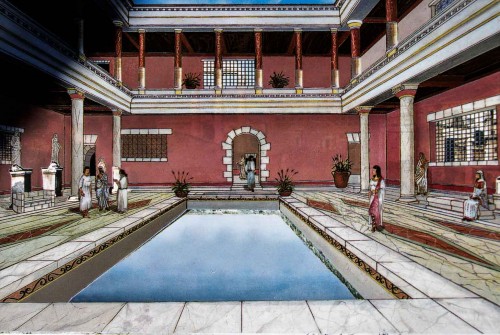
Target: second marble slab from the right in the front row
x: 422, y: 316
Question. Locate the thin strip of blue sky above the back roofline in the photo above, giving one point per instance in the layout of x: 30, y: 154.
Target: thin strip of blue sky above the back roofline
x: 232, y: 2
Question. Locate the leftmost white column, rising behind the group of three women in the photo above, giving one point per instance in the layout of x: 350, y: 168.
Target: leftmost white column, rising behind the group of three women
x: 76, y: 138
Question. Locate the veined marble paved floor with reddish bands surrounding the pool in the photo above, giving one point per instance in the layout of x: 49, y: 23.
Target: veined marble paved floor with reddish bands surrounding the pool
x: 477, y: 312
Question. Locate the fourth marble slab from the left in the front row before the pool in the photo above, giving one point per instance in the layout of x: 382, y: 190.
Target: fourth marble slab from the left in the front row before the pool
x: 210, y: 317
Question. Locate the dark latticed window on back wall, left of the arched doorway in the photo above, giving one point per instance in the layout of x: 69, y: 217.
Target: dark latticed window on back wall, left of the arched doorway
x: 144, y: 147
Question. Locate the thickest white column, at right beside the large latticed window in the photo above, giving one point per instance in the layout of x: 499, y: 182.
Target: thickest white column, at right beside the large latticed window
x: 406, y: 94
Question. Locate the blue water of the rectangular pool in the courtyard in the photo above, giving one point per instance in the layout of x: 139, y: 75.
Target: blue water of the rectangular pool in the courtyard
x: 220, y: 255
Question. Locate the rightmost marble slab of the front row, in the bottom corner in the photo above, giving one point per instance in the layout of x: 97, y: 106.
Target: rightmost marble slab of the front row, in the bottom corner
x: 479, y: 313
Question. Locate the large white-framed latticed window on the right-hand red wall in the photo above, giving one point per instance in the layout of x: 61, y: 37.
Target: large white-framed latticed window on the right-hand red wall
x: 469, y: 137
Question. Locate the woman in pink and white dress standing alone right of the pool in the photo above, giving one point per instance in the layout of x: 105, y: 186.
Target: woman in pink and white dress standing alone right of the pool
x: 377, y: 194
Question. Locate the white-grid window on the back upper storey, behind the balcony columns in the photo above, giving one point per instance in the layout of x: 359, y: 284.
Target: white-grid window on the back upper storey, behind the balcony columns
x: 235, y: 73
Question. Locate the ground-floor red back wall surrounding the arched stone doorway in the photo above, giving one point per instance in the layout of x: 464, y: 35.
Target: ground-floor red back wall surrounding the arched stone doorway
x: 303, y: 142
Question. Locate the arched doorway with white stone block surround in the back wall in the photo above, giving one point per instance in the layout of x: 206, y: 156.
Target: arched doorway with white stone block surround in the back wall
x: 230, y: 158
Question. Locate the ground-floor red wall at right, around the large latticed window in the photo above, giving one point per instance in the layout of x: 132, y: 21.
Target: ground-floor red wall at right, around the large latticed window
x: 457, y: 178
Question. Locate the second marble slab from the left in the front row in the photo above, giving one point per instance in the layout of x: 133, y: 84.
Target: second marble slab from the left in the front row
x: 72, y: 317
